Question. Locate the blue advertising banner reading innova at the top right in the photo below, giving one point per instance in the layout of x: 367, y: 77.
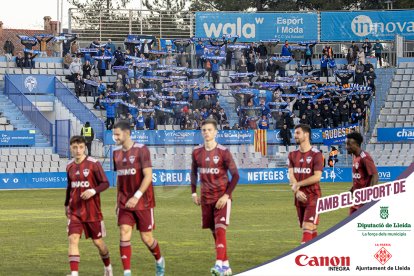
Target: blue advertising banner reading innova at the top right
x: 358, y: 25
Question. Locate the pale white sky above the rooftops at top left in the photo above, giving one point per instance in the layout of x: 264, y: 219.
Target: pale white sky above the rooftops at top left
x: 28, y: 14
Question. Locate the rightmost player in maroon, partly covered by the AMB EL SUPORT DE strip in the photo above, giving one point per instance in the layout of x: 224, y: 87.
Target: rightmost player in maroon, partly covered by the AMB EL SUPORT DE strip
x: 364, y: 171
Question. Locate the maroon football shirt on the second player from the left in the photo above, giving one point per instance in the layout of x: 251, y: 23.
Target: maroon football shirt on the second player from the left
x: 129, y: 166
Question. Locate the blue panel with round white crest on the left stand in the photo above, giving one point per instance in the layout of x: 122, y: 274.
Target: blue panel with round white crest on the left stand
x: 29, y: 84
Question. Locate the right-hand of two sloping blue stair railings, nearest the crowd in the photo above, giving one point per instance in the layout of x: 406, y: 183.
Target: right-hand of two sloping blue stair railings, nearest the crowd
x: 83, y: 113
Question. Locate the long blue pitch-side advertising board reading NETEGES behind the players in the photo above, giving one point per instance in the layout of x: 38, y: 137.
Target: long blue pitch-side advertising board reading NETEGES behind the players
x: 182, y: 177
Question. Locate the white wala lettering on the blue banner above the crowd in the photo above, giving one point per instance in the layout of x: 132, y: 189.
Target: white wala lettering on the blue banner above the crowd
x: 245, y: 30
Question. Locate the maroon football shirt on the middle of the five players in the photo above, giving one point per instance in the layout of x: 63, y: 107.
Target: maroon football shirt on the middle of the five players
x: 213, y: 167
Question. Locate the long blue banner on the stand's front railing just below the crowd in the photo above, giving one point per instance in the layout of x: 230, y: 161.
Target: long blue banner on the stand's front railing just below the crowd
x: 193, y: 137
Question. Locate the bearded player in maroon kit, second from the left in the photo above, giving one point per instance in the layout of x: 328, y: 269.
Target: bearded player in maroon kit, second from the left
x: 136, y: 201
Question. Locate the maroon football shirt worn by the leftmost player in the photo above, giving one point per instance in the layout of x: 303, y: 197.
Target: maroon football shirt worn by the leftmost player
x: 88, y: 174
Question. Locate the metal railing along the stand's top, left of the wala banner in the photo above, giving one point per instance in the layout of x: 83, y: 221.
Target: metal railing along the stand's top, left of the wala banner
x: 117, y: 24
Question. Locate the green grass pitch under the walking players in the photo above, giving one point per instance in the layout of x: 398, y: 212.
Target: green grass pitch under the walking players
x: 33, y: 239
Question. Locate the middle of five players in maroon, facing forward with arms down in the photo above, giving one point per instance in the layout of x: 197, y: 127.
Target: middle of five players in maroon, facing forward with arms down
x: 212, y: 161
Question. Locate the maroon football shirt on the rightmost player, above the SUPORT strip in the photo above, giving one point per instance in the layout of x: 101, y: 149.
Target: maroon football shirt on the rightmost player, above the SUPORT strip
x: 363, y: 168
